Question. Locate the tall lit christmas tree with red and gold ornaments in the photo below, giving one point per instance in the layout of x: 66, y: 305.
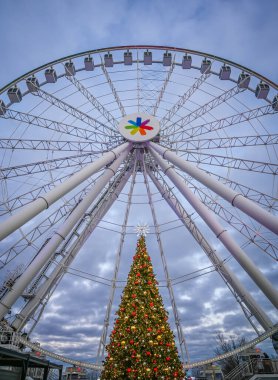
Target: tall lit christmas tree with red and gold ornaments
x: 141, y: 343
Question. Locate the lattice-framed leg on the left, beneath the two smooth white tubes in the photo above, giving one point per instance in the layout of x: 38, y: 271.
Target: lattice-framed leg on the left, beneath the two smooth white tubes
x: 70, y: 253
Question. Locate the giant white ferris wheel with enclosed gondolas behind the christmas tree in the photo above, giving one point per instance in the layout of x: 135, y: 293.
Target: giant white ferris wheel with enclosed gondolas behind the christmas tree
x: 104, y: 140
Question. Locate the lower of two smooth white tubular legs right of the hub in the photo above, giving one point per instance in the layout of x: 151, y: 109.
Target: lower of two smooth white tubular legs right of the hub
x: 211, y: 221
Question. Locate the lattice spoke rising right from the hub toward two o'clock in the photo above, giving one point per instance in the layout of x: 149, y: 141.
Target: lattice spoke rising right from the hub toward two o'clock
x: 194, y: 115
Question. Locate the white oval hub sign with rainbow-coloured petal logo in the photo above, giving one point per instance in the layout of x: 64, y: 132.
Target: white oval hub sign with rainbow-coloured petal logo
x: 139, y: 127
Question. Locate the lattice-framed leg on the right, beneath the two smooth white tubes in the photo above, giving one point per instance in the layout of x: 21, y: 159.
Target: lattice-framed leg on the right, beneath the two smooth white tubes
x: 213, y: 256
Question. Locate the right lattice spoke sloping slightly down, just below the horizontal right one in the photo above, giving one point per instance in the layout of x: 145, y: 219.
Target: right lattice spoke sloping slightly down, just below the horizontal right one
x: 231, y: 162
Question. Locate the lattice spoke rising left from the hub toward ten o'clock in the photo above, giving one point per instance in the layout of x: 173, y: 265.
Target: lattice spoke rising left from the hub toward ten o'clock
x: 99, y: 129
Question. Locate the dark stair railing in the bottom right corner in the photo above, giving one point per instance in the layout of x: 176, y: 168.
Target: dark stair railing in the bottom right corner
x: 253, y: 367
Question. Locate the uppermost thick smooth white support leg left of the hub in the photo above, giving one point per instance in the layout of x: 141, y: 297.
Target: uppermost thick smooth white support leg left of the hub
x: 32, y: 209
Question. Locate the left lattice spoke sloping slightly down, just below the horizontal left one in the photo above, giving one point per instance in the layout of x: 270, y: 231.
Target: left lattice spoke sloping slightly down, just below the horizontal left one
x: 44, y: 166
